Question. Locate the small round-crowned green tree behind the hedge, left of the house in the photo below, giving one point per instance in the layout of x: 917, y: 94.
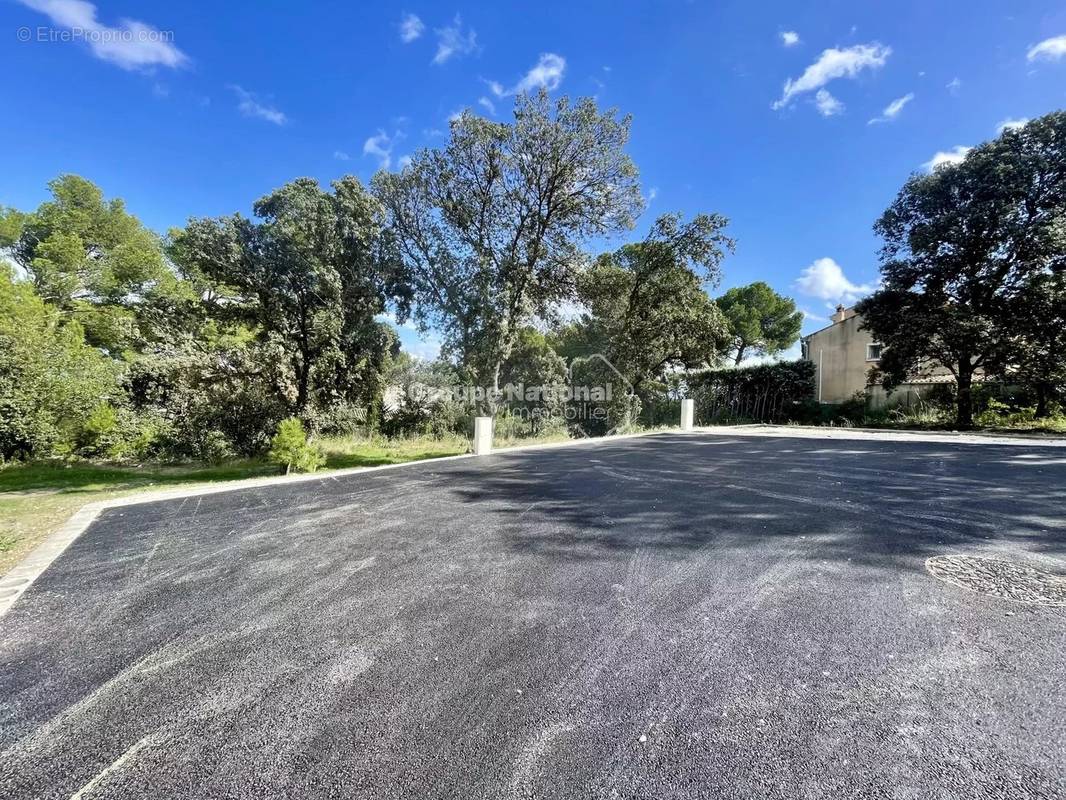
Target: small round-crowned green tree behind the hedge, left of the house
x: 762, y: 322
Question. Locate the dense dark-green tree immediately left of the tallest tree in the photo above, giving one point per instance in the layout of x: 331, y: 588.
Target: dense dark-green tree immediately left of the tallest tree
x: 311, y: 278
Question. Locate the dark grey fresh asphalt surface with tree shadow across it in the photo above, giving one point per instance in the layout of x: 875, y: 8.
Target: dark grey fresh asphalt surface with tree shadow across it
x: 669, y: 617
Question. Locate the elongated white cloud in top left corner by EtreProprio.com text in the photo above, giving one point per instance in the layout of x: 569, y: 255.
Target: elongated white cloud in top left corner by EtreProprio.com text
x: 132, y: 45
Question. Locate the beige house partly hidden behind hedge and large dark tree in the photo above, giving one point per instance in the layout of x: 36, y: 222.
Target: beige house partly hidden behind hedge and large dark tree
x: 844, y: 356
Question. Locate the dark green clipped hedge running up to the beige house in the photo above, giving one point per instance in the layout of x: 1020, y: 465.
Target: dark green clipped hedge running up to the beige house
x: 766, y: 393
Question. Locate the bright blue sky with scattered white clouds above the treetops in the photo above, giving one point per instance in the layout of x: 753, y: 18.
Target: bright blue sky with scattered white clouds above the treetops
x: 758, y: 111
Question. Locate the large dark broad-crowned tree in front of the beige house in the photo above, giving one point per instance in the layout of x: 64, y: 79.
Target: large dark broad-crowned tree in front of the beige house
x: 962, y: 246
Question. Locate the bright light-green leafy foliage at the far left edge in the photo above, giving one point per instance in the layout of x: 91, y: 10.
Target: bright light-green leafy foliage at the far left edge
x: 51, y: 380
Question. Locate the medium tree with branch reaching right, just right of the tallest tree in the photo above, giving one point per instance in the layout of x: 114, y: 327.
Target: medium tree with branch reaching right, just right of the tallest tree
x: 648, y: 301
